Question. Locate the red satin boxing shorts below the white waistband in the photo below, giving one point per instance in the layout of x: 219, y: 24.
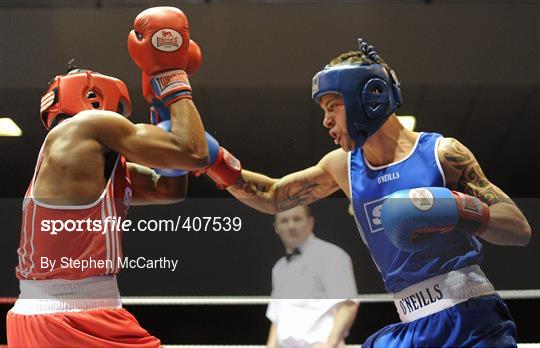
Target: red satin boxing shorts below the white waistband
x: 108, y: 327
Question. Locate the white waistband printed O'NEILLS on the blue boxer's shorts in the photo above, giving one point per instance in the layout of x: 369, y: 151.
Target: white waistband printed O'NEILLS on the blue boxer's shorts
x: 441, y: 292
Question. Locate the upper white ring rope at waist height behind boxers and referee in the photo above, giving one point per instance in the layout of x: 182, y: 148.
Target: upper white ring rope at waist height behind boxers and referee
x: 264, y: 300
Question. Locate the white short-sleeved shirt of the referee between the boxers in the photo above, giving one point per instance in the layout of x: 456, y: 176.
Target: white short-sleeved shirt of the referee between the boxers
x: 306, y: 290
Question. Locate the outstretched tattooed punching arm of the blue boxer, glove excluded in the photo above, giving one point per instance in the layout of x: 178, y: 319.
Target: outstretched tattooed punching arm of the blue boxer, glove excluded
x: 274, y: 195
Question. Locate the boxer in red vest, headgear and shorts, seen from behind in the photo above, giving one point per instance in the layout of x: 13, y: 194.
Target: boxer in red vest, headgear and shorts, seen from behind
x: 82, y: 175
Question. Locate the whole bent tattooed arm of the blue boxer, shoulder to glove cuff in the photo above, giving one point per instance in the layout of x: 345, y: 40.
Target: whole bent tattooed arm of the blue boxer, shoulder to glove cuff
x: 507, y: 224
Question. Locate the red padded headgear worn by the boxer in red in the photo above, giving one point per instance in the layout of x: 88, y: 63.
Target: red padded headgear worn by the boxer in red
x: 84, y: 90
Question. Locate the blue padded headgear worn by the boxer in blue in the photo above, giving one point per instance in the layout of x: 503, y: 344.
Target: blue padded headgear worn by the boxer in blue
x: 370, y: 92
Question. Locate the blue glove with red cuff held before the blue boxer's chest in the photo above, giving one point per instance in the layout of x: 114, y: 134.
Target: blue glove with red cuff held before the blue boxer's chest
x: 409, y: 217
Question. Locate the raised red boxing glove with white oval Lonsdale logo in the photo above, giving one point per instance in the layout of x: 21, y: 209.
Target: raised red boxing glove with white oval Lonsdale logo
x: 159, y: 45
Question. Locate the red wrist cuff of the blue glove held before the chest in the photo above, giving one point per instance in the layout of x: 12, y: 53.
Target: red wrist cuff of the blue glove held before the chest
x: 474, y: 214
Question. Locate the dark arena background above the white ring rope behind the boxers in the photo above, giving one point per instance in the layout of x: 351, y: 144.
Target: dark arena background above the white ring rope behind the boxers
x: 469, y: 69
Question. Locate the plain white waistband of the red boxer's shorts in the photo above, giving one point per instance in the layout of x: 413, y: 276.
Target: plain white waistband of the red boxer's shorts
x: 62, y: 295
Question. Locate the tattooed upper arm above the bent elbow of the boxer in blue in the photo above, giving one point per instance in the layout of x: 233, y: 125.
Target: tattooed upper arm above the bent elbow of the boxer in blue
x: 463, y: 173
